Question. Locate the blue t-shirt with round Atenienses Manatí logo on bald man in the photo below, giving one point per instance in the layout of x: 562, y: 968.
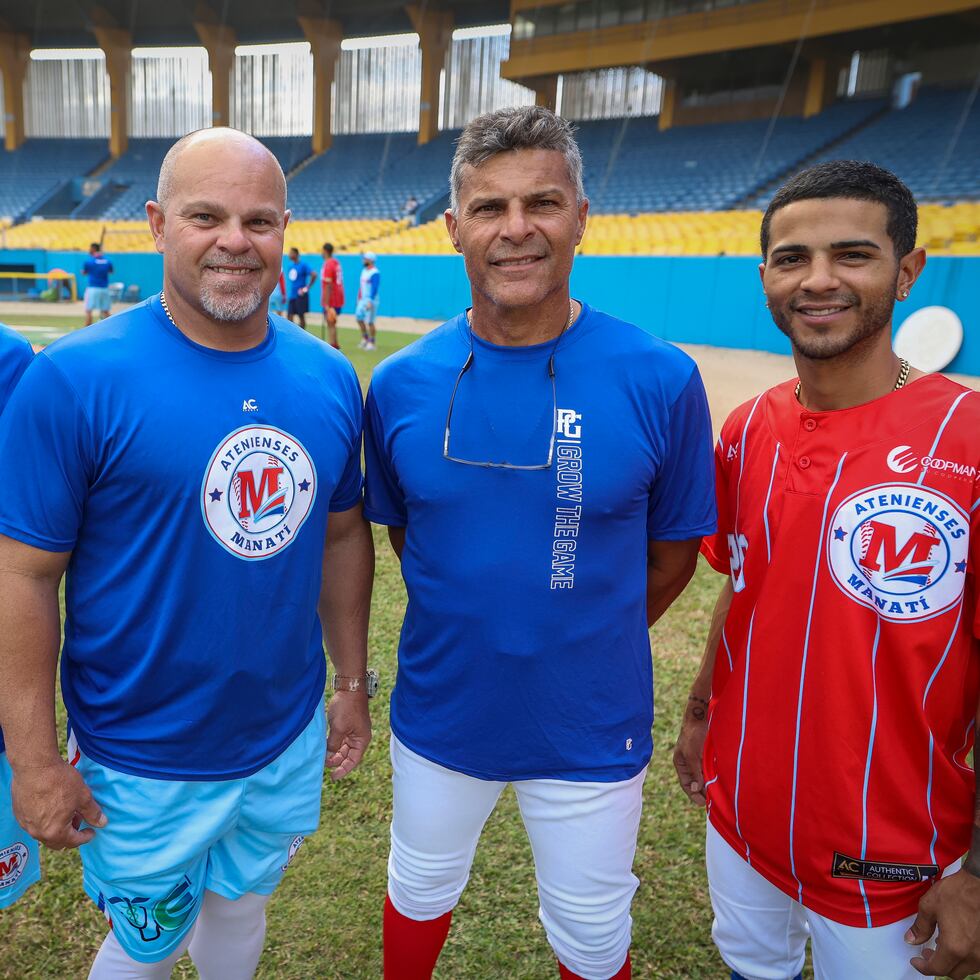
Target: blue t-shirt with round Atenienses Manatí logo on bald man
x: 192, y: 487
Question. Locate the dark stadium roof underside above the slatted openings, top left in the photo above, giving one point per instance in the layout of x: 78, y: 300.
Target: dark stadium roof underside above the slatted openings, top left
x: 70, y: 23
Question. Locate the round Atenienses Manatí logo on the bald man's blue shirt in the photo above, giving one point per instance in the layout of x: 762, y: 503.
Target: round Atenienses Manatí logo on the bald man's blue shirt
x: 258, y: 489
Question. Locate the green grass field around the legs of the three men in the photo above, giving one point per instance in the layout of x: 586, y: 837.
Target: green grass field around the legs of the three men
x: 325, y: 920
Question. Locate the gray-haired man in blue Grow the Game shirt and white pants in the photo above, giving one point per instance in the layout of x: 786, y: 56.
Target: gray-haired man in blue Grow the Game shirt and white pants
x: 541, y: 527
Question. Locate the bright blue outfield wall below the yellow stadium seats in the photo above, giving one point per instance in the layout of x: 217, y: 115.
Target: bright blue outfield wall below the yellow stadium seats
x: 696, y: 300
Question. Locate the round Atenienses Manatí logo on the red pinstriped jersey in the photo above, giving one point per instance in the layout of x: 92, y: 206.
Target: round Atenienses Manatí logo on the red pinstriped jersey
x: 901, y: 550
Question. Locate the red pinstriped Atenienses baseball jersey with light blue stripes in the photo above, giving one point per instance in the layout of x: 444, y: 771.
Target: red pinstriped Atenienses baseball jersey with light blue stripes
x: 846, y: 681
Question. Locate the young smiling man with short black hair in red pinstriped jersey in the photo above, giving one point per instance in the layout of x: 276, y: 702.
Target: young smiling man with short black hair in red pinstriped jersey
x: 829, y: 726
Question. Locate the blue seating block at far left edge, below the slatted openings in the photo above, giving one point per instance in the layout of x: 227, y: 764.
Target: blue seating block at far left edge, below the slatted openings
x: 31, y: 173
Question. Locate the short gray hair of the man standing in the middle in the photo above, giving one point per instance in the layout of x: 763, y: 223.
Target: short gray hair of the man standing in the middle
x: 529, y: 127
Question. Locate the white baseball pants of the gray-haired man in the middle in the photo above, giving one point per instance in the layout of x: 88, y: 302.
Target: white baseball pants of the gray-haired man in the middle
x: 583, y: 837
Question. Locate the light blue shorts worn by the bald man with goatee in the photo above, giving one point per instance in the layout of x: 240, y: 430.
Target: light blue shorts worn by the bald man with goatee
x: 167, y: 841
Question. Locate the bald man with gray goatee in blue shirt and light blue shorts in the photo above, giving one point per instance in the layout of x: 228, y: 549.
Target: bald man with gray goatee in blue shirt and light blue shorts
x: 201, y: 470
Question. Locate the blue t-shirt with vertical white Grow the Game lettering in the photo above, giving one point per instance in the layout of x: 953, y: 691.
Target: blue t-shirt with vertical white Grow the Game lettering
x: 525, y: 652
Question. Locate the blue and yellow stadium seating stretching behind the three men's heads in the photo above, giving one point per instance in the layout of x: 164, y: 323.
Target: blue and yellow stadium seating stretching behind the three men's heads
x: 678, y: 192
